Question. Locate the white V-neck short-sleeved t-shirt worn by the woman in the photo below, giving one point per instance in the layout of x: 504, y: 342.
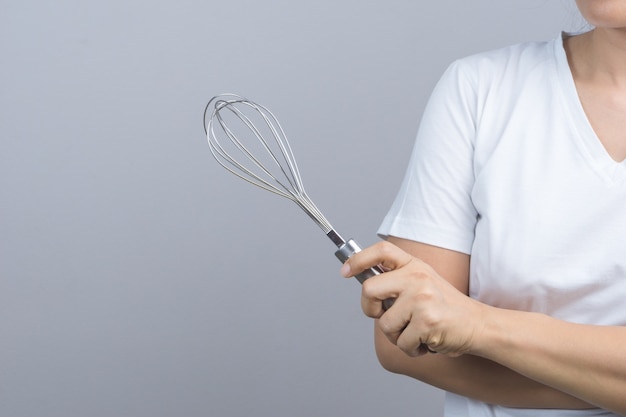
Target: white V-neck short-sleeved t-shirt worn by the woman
x: 507, y: 168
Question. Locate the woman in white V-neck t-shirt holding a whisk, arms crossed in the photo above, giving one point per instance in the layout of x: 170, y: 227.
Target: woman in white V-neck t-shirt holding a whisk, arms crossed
x: 508, y: 237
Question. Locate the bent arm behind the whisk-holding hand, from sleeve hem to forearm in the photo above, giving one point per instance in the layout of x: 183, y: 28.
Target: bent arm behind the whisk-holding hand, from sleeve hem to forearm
x: 469, y: 375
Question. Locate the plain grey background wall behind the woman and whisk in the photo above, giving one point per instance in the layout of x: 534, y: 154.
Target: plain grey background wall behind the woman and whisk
x: 137, y: 278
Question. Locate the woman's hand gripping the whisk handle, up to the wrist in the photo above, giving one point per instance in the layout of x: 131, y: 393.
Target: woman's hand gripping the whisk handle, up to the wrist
x: 428, y: 312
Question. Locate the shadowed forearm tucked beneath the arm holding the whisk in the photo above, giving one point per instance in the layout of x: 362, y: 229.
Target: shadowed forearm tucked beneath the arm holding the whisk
x: 475, y: 377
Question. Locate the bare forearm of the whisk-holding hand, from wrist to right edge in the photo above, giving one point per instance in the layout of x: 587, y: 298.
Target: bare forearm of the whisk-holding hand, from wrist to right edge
x: 586, y: 361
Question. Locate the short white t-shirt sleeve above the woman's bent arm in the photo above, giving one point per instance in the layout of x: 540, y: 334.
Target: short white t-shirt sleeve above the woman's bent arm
x: 434, y: 204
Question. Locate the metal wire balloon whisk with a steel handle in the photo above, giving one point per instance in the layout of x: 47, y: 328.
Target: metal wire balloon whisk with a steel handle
x: 247, y: 140
